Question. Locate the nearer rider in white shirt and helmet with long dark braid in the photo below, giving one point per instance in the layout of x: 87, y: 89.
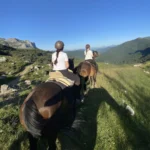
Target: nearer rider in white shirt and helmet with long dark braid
x: 60, y: 62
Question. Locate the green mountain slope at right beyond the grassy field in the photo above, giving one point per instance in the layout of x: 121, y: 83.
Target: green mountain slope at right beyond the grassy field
x: 134, y: 51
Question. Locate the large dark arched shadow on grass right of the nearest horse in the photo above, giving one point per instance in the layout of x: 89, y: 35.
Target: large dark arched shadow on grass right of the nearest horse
x: 82, y: 135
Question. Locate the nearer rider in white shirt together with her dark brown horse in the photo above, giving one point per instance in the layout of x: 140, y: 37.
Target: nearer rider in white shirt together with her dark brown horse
x: 50, y: 107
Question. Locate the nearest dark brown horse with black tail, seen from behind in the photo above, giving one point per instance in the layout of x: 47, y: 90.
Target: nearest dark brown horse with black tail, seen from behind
x: 44, y: 112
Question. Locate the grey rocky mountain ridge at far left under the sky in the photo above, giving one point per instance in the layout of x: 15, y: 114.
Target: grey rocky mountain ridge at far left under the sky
x: 16, y: 43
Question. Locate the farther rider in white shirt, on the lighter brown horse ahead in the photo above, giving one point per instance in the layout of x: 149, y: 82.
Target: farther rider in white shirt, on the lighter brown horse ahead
x: 89, y: 56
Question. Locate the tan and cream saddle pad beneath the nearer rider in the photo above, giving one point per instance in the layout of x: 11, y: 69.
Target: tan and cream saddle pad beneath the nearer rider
x: 57, y: 76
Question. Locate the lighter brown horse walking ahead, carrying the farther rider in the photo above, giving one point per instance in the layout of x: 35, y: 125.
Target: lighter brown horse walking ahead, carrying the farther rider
x: 87, y: 70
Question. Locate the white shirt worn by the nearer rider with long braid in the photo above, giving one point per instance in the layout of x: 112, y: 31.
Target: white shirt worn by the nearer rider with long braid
x: 62, y: 58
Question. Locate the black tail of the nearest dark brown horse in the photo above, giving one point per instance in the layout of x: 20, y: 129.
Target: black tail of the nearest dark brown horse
x: 33, y: 120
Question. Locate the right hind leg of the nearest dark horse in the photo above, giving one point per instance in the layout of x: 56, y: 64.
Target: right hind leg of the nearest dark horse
x: 52, y: 141
